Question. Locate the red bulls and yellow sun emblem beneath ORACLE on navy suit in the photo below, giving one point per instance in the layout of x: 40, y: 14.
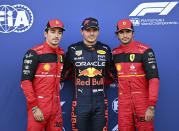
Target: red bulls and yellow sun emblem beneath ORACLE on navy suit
x: 90, y: 72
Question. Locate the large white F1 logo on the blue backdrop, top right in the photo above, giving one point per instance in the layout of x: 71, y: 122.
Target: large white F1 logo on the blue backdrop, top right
x: 154, y: 7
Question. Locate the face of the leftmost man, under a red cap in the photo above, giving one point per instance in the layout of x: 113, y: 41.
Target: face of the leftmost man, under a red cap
x: 53, y: 36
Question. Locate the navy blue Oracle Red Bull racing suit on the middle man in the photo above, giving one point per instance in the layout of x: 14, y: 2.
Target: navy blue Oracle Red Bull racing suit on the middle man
x: 89, y: 66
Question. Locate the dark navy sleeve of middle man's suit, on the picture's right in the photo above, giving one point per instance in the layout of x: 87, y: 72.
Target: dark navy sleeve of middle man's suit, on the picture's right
x: 111, y: 73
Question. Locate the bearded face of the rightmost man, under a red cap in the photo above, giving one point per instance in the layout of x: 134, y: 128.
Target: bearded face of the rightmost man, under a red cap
x: 125, y: 36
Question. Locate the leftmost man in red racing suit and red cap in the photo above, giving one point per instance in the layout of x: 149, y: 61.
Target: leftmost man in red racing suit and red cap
x: 42, y: 66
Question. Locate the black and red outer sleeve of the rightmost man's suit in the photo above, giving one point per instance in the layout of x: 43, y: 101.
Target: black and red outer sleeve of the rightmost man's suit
x: 151, y: 70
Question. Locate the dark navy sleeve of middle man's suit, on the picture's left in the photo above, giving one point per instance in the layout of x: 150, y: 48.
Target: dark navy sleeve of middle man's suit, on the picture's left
x: 67, y: 67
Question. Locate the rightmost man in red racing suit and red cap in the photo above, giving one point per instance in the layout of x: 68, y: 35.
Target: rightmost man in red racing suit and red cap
x: 138, y: 81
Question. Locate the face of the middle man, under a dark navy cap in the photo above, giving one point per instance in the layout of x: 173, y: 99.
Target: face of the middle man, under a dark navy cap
x: 90, y: 35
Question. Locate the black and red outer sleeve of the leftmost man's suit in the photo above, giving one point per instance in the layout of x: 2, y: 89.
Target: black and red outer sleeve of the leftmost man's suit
x: 30, y: 63
